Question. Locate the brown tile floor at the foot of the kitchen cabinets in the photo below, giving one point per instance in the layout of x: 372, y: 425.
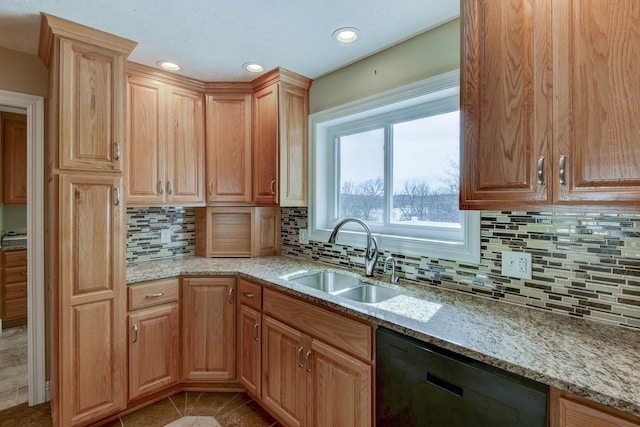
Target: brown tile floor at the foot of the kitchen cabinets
x: 187, y: 409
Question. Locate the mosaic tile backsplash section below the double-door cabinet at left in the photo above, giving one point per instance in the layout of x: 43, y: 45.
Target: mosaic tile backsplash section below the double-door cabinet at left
x: 144, y: 233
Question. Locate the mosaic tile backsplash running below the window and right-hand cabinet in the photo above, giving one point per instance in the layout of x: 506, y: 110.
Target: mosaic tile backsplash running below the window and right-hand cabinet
x: 583, y: 265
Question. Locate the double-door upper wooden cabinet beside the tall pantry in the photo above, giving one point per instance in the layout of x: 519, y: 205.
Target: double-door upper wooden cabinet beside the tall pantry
x: 166, y: 133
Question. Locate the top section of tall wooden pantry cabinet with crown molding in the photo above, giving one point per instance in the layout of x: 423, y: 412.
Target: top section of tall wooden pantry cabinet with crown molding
x: 87, y: 112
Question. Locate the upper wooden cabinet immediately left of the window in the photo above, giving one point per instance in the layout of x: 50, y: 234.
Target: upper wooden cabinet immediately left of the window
x: 280, y: 114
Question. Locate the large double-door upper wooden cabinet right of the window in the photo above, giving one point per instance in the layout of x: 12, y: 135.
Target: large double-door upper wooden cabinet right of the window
x: 549, y: 98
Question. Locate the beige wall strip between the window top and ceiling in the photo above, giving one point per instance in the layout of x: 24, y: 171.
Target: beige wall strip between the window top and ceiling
x: 431, y: 53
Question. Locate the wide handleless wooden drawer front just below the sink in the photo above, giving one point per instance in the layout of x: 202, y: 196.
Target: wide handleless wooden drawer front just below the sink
x: 340, y: 331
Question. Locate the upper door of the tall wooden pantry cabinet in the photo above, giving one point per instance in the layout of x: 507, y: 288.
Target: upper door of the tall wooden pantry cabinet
x: 92, y: 107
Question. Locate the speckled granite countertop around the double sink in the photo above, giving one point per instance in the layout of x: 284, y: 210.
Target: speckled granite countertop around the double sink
x: 594, y: 360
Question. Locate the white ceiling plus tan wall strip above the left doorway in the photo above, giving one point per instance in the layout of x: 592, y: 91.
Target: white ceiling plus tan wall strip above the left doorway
x: 211, y: 39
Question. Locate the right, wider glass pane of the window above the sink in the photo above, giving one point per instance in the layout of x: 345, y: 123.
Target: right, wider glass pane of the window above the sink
x: 426, y: 170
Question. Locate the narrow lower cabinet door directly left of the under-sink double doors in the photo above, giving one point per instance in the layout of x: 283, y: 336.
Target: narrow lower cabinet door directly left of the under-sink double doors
x: 250, y: 345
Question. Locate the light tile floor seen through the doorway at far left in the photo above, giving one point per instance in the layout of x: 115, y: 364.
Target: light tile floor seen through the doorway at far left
x: 14, y: 380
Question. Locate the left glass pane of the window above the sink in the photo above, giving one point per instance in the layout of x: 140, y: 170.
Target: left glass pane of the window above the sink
x: 362, y: 175
